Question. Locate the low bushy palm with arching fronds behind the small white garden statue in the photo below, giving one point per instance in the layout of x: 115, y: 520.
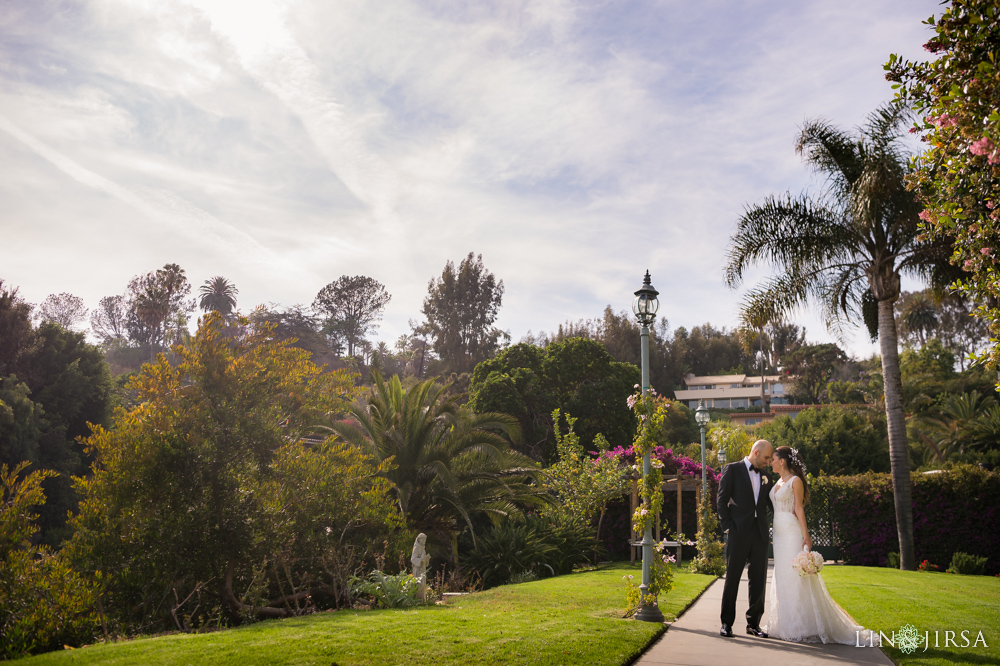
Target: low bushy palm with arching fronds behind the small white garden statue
x: 448, y: 464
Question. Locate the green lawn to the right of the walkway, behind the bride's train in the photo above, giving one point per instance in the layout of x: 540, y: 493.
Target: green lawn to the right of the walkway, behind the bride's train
x: 886, y: 599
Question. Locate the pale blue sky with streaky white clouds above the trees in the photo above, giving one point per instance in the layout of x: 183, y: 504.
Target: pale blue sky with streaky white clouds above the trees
x: 285, y: 143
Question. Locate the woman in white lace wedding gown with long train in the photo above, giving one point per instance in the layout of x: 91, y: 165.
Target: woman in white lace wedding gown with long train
x: 801, y: 609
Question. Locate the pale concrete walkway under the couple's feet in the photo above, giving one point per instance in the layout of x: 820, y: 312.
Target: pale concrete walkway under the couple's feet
x: 694, y: 640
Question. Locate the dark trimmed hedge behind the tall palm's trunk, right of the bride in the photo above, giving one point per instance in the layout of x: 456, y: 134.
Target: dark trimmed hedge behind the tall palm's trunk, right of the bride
x: 953, y: 511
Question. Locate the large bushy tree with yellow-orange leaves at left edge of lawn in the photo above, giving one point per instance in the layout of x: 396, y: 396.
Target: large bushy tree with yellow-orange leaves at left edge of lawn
x: 206, y: 506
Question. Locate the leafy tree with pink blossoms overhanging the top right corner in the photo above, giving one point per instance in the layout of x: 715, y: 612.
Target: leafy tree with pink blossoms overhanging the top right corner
x: 958, y: 177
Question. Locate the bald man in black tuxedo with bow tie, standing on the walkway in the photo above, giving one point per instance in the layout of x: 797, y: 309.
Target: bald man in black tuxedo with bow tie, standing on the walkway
x: 743, y: 505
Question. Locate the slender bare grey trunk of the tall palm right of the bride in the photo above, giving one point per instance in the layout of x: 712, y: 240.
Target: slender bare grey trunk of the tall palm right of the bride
x: 899, y: 455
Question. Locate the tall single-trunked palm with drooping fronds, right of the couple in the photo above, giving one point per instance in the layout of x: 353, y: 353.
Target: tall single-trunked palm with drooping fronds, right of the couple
x: 846, y: 249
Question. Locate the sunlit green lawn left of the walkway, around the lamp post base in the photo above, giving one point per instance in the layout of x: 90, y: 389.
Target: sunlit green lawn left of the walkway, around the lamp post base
x: 571, y: 619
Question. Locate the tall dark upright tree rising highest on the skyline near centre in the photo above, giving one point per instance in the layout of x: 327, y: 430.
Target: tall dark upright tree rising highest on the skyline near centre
x: 460, y: 308
